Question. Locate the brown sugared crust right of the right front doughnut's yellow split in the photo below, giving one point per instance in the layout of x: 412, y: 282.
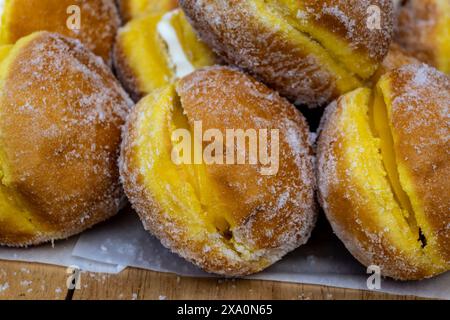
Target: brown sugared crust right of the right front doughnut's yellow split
x: 420, y: 120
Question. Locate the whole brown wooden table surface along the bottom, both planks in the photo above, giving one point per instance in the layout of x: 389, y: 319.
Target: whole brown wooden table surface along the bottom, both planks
x: 20, y: 280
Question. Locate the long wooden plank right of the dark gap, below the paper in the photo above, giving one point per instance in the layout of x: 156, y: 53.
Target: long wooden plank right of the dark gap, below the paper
x: 140, y: 284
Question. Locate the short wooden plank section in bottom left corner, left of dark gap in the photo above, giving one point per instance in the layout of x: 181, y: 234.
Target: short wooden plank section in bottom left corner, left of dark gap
x: 24, y: 281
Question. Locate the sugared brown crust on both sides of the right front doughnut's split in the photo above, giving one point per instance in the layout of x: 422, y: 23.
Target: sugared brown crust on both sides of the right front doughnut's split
x: 420, y: 99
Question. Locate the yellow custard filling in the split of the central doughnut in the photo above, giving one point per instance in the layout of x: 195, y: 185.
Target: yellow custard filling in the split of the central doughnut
x: 184, y: 191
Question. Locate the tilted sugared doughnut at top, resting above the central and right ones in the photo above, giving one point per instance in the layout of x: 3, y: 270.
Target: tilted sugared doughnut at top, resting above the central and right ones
x: 310, y: 51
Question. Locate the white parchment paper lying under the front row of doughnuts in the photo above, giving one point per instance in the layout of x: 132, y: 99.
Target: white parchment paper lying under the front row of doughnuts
x: 122, y: 241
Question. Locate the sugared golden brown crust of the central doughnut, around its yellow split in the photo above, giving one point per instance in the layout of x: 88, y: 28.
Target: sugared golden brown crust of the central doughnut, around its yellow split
x: 273, y: 214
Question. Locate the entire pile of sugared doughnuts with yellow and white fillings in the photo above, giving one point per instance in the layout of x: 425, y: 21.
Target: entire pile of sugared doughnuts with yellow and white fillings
x: 73, y: 147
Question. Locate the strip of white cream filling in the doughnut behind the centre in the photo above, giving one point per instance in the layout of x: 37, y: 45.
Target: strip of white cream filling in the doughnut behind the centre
x: 177, y: 56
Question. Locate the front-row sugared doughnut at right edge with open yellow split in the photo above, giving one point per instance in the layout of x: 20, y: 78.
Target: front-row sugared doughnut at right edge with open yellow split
x: 383, y: 172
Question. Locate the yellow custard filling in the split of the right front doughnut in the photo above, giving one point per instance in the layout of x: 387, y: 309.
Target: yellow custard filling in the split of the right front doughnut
x: 382, y: 182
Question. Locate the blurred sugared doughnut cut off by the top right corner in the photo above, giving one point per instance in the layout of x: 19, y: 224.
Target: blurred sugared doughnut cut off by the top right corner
x: 423, y: 30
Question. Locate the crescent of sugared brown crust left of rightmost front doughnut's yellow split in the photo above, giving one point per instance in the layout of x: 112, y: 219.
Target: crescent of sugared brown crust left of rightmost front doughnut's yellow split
x: 345, y: 209
